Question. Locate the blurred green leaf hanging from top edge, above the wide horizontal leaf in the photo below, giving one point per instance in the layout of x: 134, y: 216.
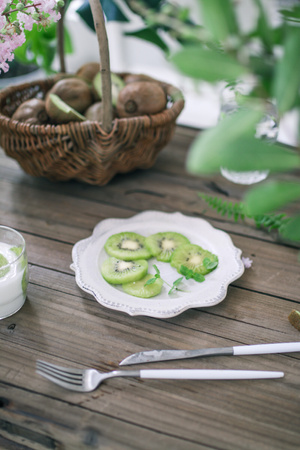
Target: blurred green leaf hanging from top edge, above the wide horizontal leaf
x: 219, y: 18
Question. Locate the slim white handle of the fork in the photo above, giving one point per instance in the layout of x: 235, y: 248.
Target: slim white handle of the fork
x: 195, y: 374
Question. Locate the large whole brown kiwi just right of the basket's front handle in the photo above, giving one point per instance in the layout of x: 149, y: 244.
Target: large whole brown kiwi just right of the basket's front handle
x: 139, y: 98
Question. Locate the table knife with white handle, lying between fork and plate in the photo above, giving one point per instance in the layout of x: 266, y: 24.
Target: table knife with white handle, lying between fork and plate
x: 168, y: 355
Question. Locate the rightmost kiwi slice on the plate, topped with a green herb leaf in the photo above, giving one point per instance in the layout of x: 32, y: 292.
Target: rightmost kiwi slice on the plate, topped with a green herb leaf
x: 194, y: 258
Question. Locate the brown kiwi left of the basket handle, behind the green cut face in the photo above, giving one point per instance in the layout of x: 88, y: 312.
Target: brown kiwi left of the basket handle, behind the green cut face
x: 73, y: 91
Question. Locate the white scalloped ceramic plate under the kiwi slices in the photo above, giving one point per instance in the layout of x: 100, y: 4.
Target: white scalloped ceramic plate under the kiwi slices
x: 88, y: 255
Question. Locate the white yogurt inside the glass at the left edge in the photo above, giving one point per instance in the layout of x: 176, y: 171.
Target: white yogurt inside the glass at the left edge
x: 13, y: 280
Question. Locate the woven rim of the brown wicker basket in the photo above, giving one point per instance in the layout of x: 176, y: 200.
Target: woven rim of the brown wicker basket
x: 167, y: 115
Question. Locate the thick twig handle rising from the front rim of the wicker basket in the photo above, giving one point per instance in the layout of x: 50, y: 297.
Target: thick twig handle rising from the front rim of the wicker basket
x: 99, y: 23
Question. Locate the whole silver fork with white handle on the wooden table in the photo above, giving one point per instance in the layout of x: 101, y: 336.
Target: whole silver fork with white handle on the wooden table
x: 87, y: 380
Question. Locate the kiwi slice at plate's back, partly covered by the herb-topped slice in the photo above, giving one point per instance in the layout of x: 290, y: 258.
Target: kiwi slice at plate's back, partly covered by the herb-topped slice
x: 162, y: 245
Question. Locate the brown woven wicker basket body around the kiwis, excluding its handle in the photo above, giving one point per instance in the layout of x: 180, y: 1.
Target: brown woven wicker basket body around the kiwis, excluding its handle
x: 82, y: 150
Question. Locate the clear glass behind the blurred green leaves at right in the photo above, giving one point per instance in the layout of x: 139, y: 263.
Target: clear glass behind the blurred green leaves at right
x: 267, y: 129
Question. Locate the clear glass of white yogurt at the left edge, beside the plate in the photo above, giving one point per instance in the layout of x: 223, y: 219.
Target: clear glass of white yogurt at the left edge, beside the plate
x: 13, y: 271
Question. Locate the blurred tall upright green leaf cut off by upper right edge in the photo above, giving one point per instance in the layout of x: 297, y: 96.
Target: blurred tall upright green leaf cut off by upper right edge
x: 286, y: 82
